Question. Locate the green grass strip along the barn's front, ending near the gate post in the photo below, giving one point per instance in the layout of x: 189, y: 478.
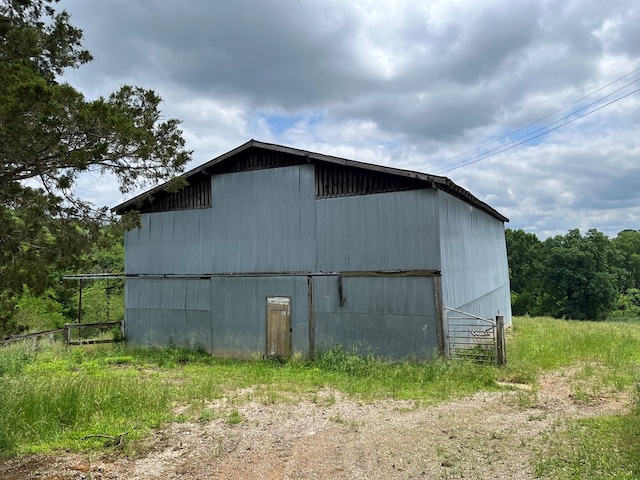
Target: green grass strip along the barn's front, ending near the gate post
x: 65, y: 398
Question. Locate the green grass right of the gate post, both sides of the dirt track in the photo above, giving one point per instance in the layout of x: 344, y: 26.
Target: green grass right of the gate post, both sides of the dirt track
x: 606, y: 357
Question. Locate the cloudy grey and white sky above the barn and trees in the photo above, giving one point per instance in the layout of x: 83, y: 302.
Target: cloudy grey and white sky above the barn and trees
x: 529, y: 105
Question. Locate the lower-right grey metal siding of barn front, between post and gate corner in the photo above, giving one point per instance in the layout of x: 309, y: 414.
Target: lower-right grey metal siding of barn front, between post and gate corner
x: 392, y: 317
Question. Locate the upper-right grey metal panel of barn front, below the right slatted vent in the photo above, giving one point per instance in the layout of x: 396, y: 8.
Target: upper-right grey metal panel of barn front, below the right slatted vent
x: 385, y: 231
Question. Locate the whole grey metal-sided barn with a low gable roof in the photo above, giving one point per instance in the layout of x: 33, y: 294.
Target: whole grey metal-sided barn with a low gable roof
x: 273, y: 251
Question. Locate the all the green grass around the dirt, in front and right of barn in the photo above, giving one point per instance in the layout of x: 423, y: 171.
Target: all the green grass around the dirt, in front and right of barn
x: 82, y: 398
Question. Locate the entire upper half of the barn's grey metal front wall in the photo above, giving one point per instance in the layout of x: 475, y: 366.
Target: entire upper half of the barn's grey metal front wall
x: 270, y: 221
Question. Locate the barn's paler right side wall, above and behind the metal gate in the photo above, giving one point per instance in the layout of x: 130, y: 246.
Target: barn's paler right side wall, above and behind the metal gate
x: 475, y: 274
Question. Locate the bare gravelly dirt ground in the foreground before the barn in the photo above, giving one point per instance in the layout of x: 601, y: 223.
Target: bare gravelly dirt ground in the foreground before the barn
x: 487, y: 436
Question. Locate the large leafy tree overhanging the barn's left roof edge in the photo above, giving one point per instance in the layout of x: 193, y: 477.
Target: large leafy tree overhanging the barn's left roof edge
x: 50, y: 134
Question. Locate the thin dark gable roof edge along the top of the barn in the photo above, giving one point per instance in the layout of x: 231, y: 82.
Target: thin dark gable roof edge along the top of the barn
x: 219, y: 163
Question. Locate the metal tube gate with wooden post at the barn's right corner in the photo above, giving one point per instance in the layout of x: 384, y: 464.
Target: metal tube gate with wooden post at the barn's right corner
x: 475, y: 338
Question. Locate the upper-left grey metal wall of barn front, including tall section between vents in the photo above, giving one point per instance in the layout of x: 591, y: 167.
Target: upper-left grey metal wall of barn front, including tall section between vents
x: 259, y: 221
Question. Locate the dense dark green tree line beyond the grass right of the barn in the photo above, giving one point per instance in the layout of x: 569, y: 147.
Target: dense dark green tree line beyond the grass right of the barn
x: 575, y: 276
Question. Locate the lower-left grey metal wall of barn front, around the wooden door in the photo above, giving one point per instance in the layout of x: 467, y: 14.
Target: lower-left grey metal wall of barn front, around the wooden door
x: 225, y: 316
